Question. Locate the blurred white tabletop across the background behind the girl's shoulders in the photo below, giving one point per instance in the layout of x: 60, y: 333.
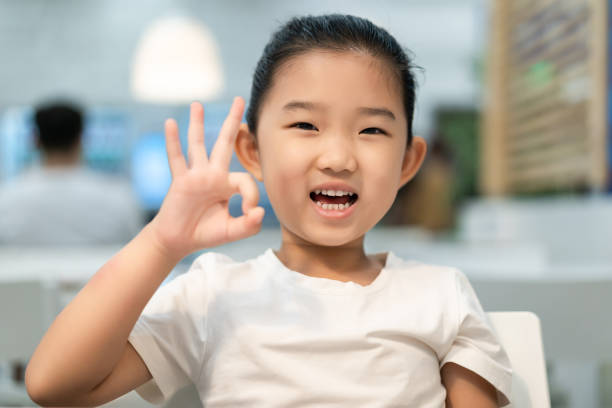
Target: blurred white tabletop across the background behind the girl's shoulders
x: 482, y: 261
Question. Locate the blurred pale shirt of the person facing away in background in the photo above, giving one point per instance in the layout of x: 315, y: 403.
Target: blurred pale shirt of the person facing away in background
x: 67, y: 206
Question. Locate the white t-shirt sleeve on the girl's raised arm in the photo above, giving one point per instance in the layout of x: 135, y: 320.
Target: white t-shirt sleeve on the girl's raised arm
x: 170, y: 335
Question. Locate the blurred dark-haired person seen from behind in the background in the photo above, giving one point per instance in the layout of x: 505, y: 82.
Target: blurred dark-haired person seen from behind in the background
x: 61, y: 202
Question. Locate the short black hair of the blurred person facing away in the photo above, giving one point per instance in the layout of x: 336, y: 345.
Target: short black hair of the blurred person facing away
x: 59, y: 125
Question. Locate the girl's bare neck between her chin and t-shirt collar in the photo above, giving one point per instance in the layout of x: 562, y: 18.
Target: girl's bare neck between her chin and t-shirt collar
x: 344, y: 263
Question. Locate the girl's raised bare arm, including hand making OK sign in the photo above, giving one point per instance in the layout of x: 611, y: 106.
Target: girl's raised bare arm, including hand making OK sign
x: 85, y: 358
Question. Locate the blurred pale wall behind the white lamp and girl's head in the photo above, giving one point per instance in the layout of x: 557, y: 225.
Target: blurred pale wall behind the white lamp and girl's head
x: 83, y: 48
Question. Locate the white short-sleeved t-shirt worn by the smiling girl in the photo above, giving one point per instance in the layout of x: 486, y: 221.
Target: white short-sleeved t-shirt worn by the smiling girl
x: 257, y: 334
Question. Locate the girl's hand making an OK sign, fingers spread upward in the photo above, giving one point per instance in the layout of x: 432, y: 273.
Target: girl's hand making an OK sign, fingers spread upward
x: 195, y: 214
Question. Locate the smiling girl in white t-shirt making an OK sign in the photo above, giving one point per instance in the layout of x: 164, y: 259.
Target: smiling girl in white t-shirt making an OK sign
x: 316, y: 323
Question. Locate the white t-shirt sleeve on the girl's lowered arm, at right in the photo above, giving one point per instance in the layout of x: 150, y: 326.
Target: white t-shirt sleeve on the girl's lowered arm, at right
x: 475, y: 345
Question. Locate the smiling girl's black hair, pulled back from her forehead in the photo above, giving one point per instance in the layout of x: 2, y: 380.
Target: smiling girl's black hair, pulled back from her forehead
x: 334, y: 32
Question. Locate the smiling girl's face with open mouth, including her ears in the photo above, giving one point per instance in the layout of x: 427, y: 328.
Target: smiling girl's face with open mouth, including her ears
x: 331, y: 146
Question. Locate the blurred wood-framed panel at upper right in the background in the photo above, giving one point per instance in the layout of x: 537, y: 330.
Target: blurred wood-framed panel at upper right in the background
x: 545, y: 122
